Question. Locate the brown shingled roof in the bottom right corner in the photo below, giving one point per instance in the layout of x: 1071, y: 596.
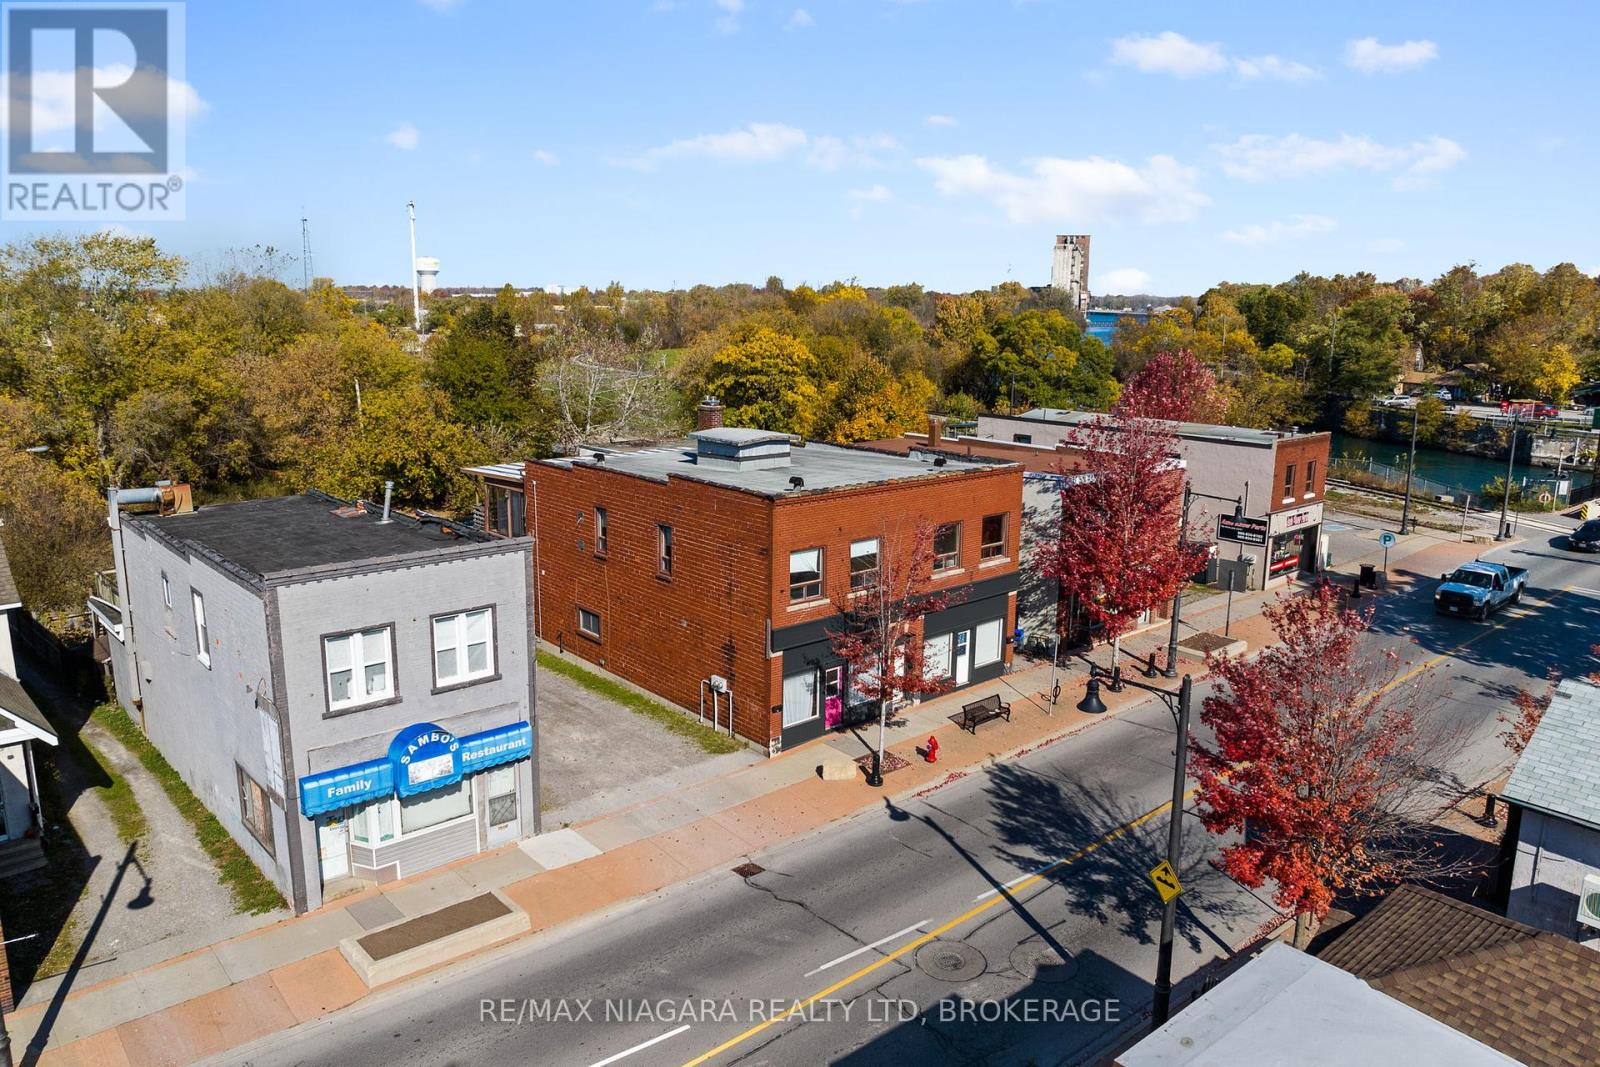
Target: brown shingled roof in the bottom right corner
x: 1522, y: 991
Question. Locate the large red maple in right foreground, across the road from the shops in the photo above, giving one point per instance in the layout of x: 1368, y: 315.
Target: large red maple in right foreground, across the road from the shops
x: 1322, y: 762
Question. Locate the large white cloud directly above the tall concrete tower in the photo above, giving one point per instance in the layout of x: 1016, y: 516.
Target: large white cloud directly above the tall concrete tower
x: 1074, y: 191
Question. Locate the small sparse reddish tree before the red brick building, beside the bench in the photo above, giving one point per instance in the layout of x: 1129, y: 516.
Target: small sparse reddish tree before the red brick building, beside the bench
x: 879, y: 629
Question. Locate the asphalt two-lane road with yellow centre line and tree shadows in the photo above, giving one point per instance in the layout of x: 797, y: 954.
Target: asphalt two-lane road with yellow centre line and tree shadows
x: 1054, y: 972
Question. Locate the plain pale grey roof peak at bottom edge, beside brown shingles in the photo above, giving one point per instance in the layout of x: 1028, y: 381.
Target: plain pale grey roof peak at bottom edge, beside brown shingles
x: 1289, y: 1007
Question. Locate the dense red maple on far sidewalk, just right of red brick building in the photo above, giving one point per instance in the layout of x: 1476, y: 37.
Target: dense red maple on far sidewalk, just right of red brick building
x: 1118, y: 551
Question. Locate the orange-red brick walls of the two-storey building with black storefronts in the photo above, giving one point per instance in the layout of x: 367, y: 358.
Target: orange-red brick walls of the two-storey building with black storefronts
x: 730, y: 570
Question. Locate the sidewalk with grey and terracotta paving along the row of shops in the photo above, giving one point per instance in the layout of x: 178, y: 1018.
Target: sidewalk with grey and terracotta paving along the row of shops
x: 239, y: 991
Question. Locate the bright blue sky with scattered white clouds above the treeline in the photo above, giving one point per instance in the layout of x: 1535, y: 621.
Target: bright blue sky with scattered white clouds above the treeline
x: 942, y: 142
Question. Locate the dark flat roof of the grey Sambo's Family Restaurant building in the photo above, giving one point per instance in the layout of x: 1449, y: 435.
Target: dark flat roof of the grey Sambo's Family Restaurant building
x: 295, y: 533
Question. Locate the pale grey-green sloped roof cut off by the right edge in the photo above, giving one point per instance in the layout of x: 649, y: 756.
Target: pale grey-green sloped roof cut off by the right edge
x: 1559, y: 772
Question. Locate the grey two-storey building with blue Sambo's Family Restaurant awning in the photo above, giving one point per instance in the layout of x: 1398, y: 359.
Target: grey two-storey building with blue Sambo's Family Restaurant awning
x: 351, y: 695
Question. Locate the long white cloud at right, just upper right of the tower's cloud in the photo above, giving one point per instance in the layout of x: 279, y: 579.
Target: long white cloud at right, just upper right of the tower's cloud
x: 1263, y: 158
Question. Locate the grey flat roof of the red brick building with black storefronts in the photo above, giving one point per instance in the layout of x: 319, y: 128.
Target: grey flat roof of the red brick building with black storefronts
x: 820, y: 466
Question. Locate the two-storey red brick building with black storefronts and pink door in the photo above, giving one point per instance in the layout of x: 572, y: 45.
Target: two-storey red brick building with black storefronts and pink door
x: 719, y: 565
